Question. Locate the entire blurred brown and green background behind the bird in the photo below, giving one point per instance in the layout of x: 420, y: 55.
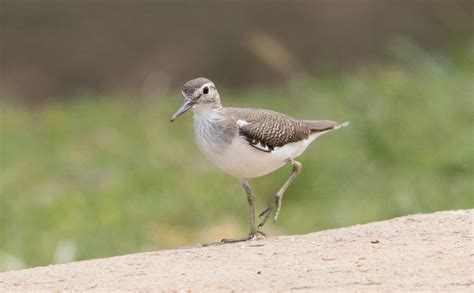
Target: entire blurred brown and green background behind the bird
x: 91, y: 167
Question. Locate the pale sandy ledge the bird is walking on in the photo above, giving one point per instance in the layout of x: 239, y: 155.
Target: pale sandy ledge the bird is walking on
x: 417, y: 252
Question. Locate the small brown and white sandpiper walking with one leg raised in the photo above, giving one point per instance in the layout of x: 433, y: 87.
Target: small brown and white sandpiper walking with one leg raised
x: 248, y: 143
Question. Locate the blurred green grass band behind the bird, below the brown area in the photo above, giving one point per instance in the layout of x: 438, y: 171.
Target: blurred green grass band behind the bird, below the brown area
x: 97, y: 176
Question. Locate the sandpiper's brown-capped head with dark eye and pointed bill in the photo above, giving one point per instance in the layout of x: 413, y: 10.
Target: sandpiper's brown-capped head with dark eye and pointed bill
x: 198, y: 93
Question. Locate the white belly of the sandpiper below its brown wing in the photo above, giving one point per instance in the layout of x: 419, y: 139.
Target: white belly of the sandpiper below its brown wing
x: 241, y: 160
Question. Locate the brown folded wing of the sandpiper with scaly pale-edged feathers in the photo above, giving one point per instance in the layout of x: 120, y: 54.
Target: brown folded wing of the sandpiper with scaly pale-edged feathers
x: 265, y: 129
